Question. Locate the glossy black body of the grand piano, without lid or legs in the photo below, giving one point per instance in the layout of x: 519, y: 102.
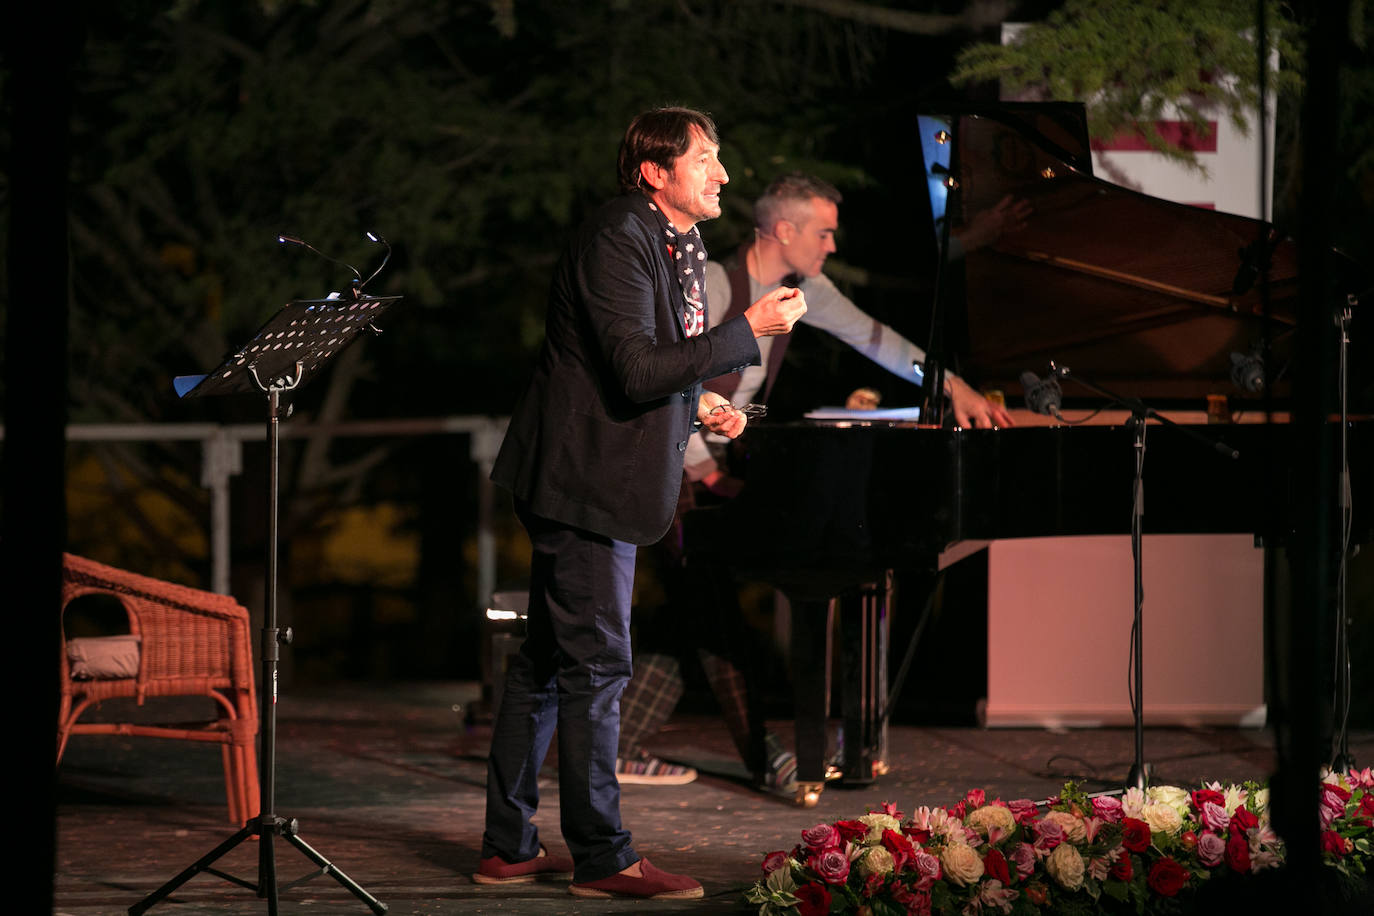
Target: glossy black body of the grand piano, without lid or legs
x: 828, y: 506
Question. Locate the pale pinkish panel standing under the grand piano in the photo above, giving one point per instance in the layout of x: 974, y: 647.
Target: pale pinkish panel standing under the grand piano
x: 1060, y: 613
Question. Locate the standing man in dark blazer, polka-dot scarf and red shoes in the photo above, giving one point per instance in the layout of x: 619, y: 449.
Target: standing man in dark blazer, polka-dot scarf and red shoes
x: 594, y: 458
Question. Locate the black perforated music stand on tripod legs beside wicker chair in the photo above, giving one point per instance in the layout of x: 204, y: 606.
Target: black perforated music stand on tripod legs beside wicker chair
x: 285, y: 354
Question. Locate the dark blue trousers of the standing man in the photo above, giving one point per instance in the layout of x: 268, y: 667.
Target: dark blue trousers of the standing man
x: 570, y: 672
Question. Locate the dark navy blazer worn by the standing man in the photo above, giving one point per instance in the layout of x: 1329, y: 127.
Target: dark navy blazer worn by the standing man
x: 598, y: 439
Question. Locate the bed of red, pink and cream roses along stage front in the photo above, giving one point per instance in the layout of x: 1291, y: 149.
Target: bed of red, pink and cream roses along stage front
x: 1144, y: 852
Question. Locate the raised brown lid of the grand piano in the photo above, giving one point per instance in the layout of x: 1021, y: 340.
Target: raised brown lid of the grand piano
x: 1145, y: 296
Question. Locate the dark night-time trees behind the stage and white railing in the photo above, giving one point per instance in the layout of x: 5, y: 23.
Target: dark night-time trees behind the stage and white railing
x: 155, y: 150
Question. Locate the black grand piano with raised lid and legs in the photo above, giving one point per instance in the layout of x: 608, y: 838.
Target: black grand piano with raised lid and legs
x: 1148, y: 297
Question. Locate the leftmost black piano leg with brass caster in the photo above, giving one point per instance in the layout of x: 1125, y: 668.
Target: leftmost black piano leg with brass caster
x: 813, y: 623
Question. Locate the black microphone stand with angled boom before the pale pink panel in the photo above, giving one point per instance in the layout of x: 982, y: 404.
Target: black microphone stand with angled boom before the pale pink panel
x: 1140, y: 775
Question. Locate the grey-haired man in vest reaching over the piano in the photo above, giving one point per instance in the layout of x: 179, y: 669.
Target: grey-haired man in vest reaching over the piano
x: 795, y: 233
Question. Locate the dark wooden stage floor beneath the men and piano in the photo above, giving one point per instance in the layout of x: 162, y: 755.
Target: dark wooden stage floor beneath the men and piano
x: 388, y: 783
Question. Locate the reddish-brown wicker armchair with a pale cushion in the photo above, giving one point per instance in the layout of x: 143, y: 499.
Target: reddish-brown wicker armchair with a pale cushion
x: 183, y: 643
